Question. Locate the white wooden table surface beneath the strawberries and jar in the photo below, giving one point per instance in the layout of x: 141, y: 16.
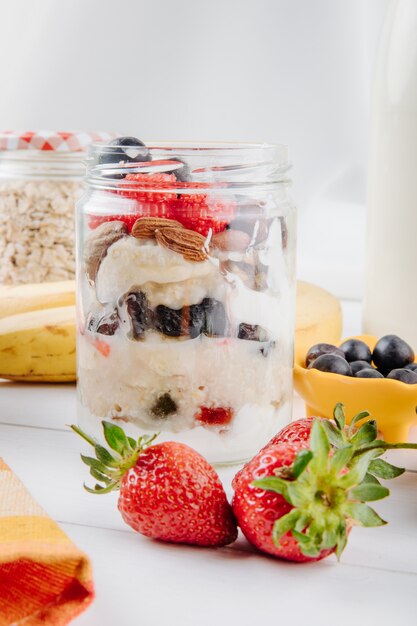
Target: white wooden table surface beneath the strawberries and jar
x: 143, y: 582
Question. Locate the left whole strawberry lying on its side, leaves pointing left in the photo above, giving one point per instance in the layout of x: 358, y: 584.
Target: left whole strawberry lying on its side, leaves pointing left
x: 167, y: 491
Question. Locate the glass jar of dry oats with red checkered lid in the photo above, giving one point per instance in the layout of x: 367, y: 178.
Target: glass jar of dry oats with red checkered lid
x: 41, y: 176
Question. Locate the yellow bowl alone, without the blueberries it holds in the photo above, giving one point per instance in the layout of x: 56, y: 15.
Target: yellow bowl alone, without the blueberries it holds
x: 391, y: 402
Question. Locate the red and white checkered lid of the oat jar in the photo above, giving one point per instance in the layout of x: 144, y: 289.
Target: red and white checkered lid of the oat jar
x: 59, y: 141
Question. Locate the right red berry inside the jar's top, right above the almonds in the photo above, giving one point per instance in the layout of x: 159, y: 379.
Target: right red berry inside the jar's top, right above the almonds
x: 202, y: 212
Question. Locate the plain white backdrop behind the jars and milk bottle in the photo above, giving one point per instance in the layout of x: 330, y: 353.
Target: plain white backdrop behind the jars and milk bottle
x: 284, y: 71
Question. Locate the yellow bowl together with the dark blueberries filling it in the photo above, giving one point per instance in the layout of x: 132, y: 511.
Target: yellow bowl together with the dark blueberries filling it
x: 364, y: 373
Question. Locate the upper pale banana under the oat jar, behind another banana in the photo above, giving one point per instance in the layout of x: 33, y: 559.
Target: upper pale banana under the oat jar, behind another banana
x: 16, y: 299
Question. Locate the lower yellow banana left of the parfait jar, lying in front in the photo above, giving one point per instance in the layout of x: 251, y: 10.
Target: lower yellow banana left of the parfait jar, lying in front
x: 38, y: 345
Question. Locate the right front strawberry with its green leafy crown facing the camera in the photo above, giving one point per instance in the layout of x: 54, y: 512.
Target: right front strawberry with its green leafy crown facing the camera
x: 300, y: 504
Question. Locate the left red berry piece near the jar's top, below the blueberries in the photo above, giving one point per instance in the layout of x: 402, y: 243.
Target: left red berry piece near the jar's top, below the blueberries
x: 151, y: 200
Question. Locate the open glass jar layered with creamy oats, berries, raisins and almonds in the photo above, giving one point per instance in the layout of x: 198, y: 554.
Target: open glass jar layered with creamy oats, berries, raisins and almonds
x: 186, y: 286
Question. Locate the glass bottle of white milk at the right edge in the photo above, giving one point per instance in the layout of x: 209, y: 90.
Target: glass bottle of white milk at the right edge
x: 391, y: 288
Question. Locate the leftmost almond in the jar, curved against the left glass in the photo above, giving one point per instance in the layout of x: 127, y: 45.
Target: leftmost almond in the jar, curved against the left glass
x: 99, y: 242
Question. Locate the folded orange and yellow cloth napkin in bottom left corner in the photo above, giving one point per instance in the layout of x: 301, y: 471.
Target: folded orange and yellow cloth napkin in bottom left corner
x: 44, y: 578
